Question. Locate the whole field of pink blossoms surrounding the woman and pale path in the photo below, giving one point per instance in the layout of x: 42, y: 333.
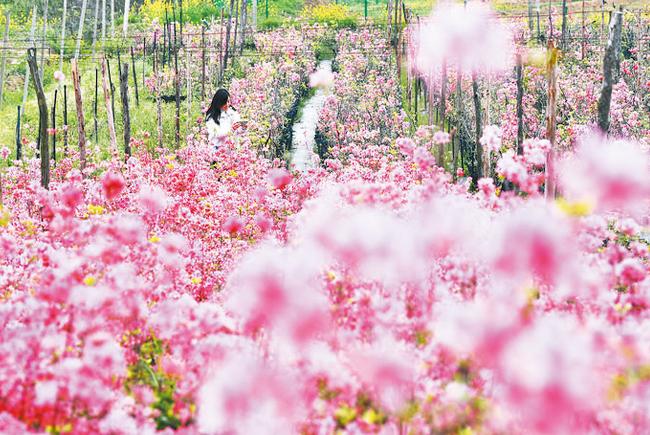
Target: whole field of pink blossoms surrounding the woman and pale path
x: 458, y: 261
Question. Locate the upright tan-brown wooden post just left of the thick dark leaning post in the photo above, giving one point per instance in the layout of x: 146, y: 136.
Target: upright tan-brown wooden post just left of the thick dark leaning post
x: 551, y: 105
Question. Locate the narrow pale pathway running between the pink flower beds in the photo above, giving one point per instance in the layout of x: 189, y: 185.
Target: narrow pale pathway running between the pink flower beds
x: 304, y: 131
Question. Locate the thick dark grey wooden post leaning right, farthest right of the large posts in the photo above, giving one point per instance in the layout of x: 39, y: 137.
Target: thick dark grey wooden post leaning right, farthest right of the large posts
x: 610, y: 70
